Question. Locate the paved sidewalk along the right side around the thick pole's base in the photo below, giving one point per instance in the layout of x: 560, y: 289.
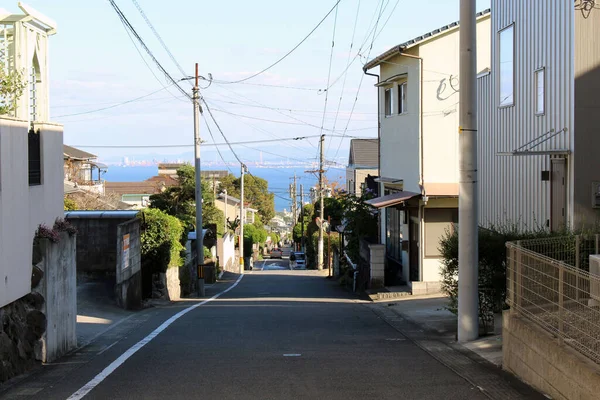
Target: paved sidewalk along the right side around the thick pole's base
x: 425, y: 321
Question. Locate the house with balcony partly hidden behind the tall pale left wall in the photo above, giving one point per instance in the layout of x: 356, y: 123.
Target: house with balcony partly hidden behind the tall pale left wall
x: 83, y: 169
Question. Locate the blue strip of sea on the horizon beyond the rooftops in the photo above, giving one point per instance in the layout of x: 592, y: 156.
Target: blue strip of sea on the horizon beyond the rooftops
x: 279, y: 179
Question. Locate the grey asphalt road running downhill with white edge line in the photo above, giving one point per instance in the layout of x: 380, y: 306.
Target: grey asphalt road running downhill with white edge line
x: 278, y: 334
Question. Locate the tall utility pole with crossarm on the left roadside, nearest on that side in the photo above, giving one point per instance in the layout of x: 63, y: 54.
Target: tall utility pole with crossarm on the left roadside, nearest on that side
x: 199, y: 237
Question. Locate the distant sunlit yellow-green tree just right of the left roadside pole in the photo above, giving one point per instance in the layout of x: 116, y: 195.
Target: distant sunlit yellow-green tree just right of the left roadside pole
x: 256, y: 192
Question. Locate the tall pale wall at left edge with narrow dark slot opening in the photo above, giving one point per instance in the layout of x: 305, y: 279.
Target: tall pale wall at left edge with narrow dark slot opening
x: 22, y: 207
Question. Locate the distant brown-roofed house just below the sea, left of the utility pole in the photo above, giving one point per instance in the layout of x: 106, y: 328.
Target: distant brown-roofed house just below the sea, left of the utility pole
x: 137, y: 194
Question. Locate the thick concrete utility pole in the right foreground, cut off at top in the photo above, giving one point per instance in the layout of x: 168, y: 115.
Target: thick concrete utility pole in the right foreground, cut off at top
x: 468, y: 255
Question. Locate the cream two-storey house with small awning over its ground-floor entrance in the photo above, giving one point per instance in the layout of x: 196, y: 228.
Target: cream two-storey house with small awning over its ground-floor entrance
x: 418, y: 149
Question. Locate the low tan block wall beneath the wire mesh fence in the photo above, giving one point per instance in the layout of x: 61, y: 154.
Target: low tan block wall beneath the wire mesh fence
x: 536, y: 357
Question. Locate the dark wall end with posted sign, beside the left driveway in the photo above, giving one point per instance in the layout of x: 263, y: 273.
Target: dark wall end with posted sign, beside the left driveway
x: 129, y: 265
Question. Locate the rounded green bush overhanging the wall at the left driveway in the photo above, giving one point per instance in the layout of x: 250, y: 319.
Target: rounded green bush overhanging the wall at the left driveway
x: 160, y: 240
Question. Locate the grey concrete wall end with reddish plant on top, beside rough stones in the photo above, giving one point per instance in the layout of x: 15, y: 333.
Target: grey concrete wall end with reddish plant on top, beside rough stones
x: 59, y: 288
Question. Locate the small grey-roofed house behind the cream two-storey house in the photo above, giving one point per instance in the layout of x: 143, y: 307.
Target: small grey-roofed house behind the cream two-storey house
x: 363, y: 161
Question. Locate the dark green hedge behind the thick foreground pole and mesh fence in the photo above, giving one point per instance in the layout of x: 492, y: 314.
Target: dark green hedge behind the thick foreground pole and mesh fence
x: 492, y: 265
